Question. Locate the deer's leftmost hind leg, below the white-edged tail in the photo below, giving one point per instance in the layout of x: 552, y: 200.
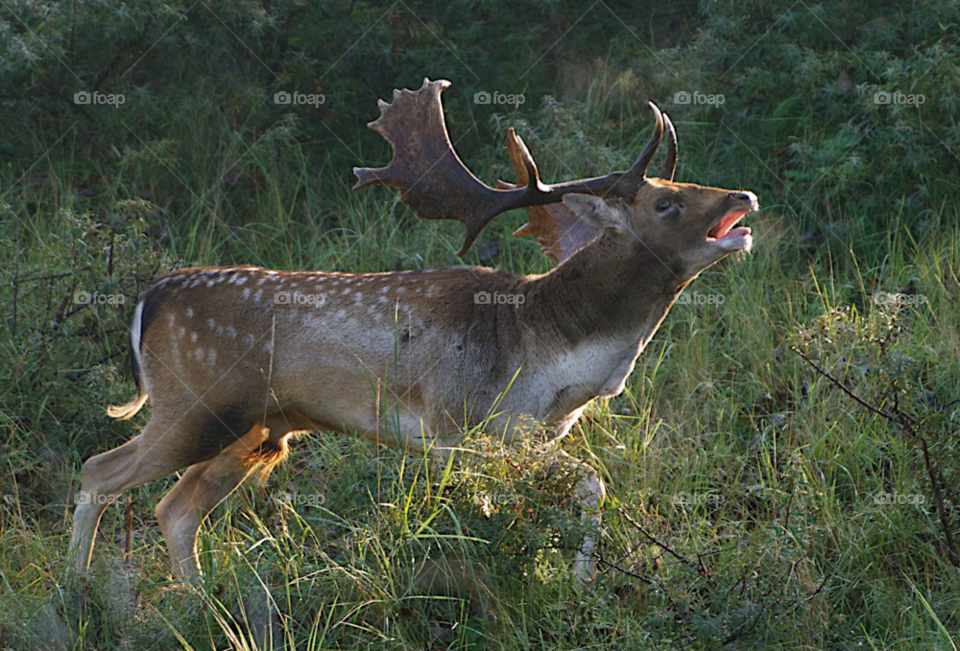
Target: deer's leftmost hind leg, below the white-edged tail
x: 107, y: 475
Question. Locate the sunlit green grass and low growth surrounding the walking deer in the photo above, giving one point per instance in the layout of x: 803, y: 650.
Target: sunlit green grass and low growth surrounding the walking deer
x: 741, y: 483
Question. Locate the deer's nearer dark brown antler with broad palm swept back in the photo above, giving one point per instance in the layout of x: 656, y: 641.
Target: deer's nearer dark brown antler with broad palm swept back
x: 434, y: 182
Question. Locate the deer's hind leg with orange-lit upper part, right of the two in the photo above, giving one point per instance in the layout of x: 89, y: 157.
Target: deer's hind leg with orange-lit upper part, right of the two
x: 201, y: 488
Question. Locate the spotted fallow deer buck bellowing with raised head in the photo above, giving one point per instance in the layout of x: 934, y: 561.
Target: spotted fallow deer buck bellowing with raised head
x: 235, y: 360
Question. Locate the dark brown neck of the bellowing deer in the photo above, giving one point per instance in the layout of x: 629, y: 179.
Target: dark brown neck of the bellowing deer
x: 606, y: 290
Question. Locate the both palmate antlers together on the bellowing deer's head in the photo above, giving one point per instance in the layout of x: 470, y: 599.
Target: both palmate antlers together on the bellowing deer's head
x: 434, y: 182
